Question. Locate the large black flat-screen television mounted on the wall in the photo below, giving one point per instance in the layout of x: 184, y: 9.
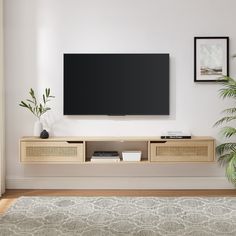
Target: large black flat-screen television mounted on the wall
x: 116, y: 84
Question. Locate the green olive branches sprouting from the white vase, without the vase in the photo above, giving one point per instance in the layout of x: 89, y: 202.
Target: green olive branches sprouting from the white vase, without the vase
x: 36, y: 107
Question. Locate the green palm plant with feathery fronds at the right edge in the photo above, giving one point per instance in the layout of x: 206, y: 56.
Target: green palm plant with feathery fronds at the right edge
x: 227, y: 151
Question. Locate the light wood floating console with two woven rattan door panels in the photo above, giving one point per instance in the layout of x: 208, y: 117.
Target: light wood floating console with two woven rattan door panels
x: 69, y: 150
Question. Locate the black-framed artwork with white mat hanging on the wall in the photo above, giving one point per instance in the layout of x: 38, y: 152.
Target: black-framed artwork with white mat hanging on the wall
x: 211, y: 58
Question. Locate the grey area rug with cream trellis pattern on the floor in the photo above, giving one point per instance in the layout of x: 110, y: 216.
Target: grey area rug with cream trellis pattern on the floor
x: 120, y: 216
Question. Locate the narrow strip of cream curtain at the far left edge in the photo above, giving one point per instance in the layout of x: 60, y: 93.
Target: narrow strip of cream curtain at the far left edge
x: 2, y: 172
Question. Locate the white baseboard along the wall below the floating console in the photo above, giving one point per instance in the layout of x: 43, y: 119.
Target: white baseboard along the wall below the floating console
x: 118, y: 183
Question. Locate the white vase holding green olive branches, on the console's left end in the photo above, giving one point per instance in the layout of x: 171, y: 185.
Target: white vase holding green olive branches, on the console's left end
x: 38, y: 109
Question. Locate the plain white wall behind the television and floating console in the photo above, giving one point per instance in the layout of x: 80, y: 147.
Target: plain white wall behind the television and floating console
x: 38, y: 32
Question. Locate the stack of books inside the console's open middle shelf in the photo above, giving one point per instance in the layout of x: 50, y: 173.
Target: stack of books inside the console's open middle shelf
x: 105, y: 156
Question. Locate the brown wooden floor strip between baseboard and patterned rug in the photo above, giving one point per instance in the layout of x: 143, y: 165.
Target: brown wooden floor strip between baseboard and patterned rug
x: 11, y: 195
